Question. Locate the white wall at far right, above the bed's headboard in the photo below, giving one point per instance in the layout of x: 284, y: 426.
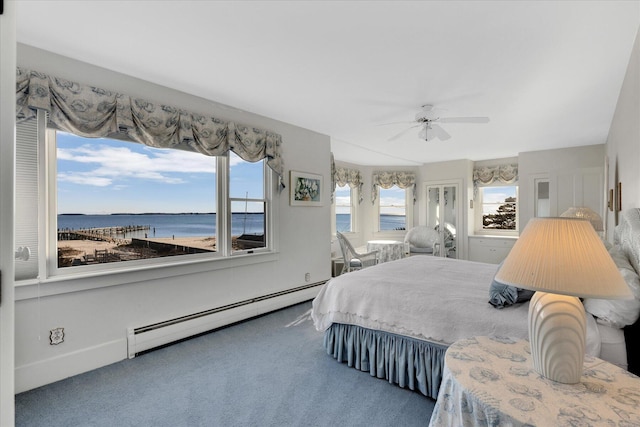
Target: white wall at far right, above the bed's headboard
x: 623, y: 142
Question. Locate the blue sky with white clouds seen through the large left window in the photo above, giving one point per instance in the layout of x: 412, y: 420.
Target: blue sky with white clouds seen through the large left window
x: 99, y: 176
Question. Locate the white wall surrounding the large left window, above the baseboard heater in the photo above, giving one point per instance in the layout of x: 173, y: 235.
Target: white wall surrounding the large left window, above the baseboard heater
x: 95, y: 320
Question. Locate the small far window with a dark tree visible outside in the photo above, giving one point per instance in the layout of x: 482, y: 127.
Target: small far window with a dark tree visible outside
x: 499, y: 208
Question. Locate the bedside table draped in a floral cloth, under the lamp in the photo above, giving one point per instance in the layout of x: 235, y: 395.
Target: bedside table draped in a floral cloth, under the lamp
x: 491, y: 381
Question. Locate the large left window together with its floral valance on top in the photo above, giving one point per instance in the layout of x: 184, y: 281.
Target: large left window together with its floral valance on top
x: 113, y: 151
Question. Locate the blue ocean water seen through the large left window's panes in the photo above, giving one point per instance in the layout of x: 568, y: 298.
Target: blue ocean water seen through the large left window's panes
x: 167, y: 225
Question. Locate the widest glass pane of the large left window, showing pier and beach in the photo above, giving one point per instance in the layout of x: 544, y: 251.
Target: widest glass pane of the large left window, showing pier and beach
x: 123, y: 201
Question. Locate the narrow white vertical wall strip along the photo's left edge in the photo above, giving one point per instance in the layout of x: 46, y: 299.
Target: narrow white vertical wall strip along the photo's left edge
x: 7, y: 155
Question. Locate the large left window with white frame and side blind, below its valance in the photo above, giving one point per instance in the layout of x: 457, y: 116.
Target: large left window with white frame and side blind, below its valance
x: 106, y: 201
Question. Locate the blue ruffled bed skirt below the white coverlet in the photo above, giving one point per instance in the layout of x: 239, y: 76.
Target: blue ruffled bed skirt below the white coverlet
x: 407, y: 362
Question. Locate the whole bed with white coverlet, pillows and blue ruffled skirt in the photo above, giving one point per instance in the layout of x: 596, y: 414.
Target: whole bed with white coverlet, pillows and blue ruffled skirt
x: 395, y: 320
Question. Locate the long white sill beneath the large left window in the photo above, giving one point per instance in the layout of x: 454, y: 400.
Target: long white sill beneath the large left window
x: 67, y: 283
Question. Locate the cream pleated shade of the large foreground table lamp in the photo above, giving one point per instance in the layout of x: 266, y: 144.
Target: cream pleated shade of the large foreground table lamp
x: 563, y: 256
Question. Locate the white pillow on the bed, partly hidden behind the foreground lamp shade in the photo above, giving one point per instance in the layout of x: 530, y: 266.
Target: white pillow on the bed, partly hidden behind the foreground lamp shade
x: 618, y: 313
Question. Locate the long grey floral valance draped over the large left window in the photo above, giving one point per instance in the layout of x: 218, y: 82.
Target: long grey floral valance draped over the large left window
x: 93, y: 112
